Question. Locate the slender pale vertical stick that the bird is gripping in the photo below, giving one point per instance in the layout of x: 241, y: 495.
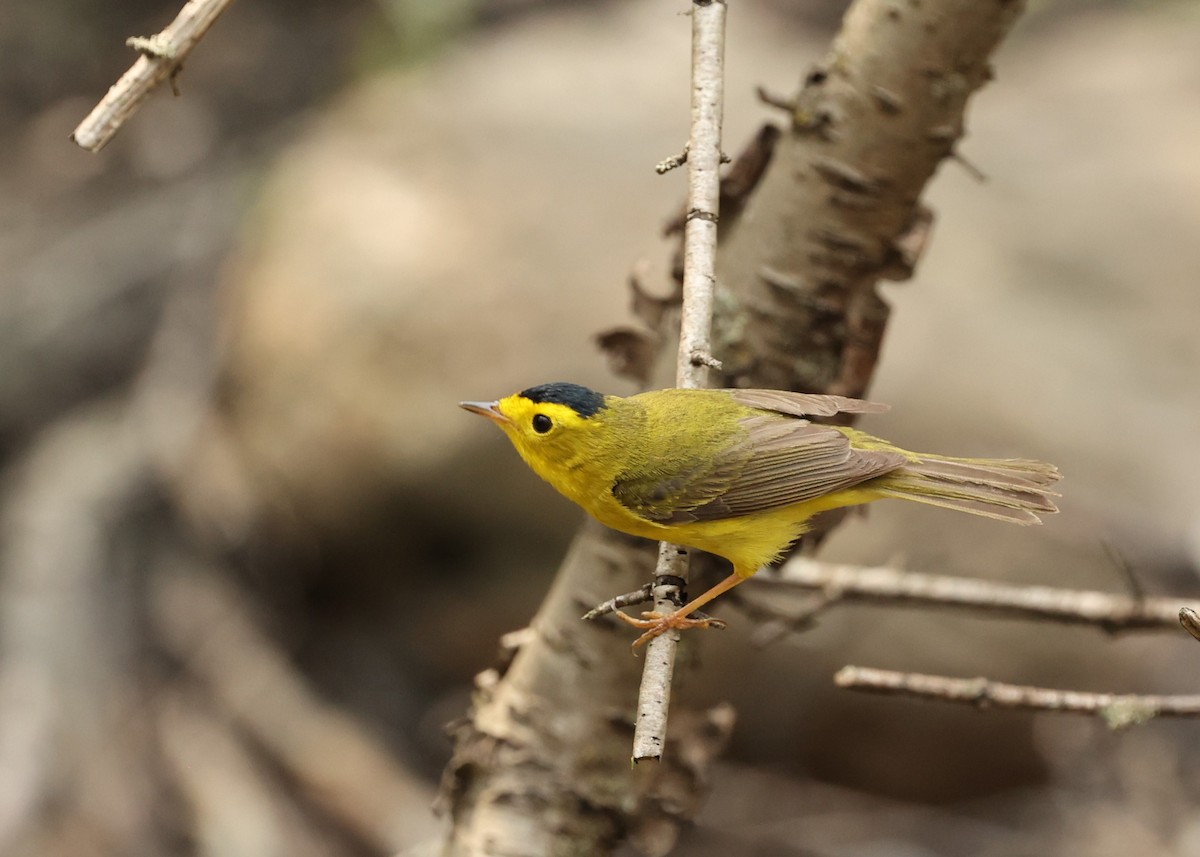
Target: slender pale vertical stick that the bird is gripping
x: 695, y: 335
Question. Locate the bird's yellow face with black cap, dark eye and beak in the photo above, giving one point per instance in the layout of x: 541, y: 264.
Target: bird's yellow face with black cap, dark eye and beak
x: 555, y: 428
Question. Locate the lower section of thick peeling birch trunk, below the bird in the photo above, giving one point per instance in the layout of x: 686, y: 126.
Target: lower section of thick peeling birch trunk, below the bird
x: 542, y: 765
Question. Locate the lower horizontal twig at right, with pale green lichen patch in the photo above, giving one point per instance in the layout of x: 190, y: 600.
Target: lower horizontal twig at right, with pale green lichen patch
x: 1118, y: 710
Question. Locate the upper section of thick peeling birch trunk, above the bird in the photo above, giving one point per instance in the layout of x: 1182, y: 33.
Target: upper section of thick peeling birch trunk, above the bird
x: 839, y: 208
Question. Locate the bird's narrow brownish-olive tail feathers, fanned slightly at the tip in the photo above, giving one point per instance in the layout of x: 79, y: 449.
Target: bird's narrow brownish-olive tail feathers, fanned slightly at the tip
x: 1015, y: 490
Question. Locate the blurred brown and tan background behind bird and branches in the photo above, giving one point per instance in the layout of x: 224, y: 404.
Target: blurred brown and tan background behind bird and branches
x: 251, y: 554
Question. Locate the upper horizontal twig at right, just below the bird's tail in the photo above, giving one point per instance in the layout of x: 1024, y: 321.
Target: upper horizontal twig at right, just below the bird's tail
x: 1111, y: 612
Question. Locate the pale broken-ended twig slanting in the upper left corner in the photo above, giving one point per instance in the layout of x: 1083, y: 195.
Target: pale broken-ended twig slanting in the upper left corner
x: 163, y: 57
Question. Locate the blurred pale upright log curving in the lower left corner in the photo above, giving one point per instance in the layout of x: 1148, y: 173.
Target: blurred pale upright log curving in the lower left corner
x: 69, y: 688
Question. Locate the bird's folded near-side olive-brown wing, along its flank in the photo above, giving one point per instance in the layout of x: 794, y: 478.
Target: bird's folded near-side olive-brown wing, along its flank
x: 775, y: 463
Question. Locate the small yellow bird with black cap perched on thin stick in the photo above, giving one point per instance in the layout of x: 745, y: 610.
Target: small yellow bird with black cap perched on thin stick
x: 739, y: 474
